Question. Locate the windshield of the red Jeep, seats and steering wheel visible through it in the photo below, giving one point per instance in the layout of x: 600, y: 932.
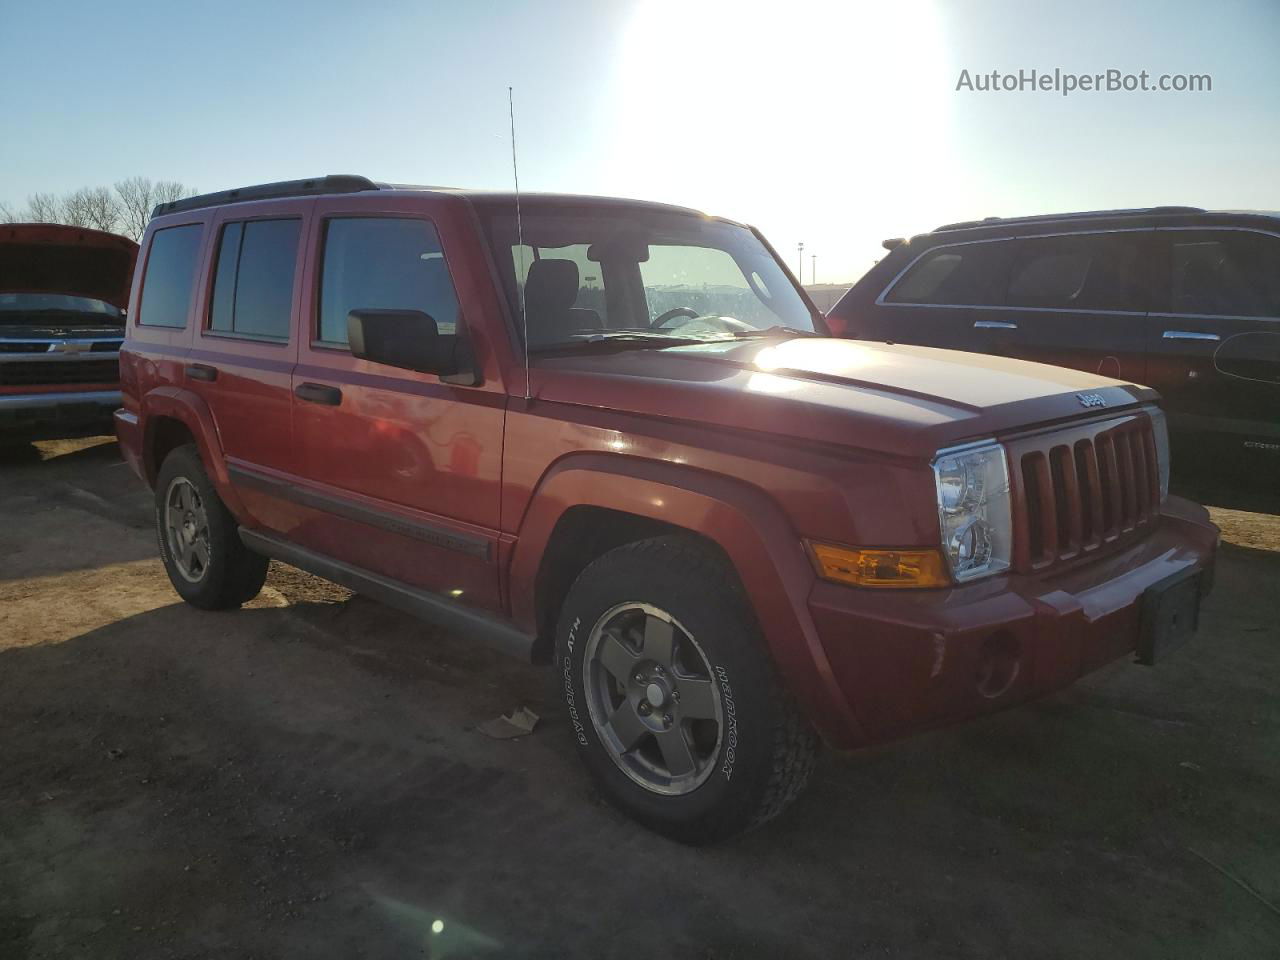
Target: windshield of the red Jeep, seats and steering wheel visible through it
x: 641, y: 276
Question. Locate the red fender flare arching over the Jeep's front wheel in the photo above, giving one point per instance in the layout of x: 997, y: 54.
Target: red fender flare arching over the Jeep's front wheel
x: 746, y: 523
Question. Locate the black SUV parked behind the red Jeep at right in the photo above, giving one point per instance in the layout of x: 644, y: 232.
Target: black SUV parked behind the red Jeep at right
x: 1181, y: 299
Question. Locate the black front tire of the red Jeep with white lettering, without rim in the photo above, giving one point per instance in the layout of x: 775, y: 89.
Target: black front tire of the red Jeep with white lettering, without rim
x: 696, y: 589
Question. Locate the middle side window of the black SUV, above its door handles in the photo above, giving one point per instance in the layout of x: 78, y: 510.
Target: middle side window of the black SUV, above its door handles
x: 1087, y: 272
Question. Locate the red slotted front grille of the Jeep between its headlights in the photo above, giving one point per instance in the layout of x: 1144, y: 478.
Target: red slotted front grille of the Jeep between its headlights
x: 1084, y: 491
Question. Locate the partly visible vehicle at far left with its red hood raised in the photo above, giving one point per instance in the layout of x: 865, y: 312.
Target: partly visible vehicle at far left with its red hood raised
x: 63, y: 291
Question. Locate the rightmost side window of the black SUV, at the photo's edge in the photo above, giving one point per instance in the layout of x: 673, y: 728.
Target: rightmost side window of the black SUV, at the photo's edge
x: 1224, y: 273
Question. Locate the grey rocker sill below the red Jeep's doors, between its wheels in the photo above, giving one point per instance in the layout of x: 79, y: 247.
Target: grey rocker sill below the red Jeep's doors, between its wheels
x: 449, y: 614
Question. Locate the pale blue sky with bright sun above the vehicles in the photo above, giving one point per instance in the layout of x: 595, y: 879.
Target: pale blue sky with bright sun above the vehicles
x: 831, y: 124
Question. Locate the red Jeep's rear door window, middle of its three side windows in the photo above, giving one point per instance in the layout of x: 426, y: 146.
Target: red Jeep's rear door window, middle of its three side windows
x: 254, y: 285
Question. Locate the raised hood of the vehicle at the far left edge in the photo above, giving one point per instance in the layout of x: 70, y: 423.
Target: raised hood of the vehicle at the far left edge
x: 39, y: 258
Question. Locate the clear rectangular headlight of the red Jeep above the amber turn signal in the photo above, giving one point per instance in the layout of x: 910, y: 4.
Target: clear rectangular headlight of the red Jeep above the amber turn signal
x: 975, y: 509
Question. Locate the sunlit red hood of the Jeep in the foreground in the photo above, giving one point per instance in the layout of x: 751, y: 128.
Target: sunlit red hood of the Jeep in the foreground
x: 890, y: 399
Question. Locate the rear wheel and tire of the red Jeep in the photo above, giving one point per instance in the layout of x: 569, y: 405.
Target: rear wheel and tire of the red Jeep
x: 199, y: 538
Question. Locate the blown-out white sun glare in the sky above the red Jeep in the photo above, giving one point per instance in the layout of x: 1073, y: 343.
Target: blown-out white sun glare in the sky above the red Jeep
x: 810, y: 115
